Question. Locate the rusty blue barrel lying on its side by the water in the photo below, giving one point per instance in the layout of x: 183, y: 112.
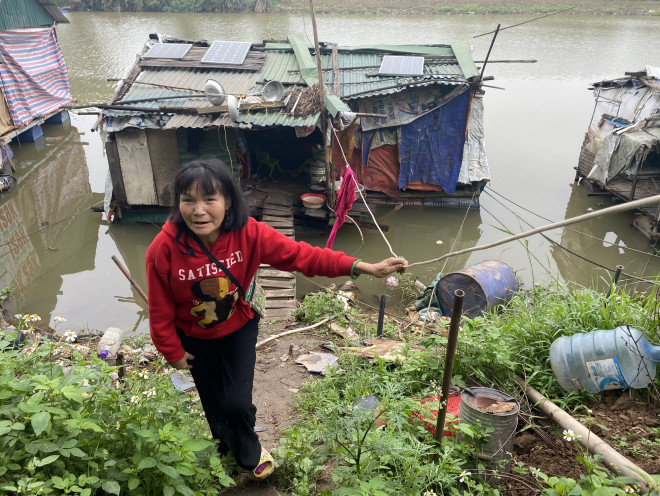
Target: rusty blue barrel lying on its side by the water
x: 486, y: 285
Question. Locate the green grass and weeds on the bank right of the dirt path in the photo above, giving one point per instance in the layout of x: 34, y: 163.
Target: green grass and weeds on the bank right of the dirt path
x: 342, y: 441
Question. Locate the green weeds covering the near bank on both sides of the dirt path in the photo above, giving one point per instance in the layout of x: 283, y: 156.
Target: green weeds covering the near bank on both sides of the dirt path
x: 70, y: 426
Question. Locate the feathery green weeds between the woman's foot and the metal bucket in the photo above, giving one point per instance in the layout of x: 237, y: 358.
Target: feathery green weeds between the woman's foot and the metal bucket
x: 364, y: 445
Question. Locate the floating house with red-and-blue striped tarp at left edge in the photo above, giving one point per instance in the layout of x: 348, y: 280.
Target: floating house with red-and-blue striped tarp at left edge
x: 34, y: 83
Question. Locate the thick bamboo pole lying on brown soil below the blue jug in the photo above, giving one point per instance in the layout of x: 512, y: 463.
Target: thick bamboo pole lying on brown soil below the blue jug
x: 612, y: 458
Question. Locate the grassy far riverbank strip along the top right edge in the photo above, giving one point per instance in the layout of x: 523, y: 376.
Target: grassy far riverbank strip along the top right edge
x: 457, y: 7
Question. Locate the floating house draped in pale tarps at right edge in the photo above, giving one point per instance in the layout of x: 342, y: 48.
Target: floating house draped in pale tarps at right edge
x: 620, y: 155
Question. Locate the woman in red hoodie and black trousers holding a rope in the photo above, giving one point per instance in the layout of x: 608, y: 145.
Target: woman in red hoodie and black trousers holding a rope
x: 208, y: 251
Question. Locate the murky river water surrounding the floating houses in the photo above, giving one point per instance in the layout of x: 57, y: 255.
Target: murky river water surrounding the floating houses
x: 536, y: 117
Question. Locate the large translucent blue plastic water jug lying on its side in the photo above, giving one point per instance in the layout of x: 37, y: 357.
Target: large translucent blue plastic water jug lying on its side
x: 605, y: 359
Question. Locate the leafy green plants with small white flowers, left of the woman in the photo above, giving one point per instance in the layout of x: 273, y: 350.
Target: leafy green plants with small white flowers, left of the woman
x: 72, y: 427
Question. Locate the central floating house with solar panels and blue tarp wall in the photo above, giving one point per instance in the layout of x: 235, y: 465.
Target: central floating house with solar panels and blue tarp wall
x: 407, y: 119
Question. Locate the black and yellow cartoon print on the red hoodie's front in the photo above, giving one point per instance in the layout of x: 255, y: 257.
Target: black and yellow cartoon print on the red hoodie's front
x: 217, y: 304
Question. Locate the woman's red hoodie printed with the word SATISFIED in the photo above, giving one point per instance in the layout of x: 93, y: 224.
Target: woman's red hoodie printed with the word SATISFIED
x: 187, y: 291
